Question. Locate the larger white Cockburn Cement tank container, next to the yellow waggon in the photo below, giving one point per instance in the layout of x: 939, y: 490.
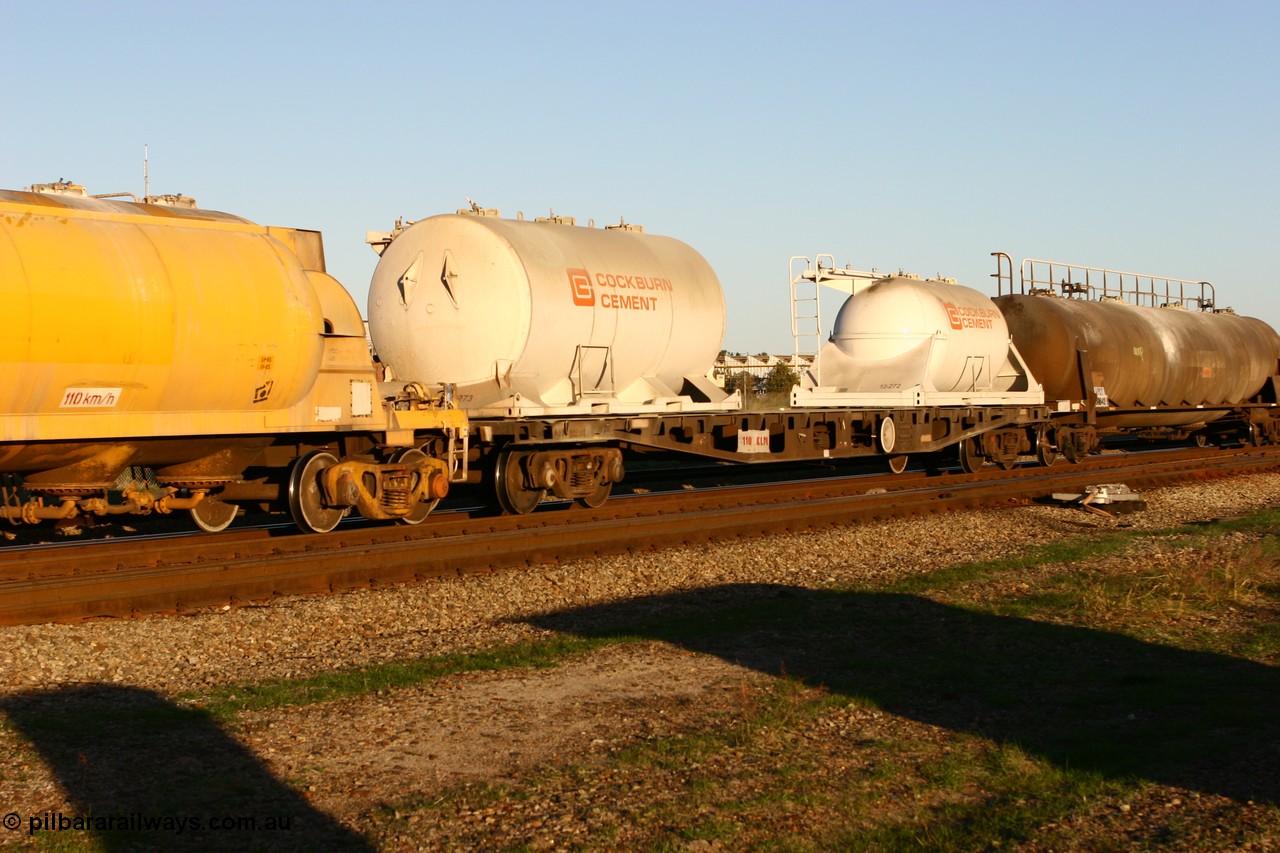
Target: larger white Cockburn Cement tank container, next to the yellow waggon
x: 545, y: 318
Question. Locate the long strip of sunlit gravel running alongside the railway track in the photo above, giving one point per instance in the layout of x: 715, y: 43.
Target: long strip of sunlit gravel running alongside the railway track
x: 303, y: 636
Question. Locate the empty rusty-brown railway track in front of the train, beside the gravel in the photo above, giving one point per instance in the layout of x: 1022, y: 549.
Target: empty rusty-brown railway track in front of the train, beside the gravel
x: 131, y: 577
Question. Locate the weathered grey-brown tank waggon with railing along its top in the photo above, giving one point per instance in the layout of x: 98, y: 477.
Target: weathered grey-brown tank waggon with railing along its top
x: 1141, y: 354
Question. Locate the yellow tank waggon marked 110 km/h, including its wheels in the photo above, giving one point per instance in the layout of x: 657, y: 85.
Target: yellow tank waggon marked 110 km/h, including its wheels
x: 208, y: 352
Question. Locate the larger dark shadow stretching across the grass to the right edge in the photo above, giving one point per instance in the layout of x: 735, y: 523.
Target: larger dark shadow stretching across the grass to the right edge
x: 1080, y: 699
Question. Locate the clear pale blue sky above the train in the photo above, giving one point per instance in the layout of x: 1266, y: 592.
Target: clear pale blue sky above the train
x: 1141, y: 136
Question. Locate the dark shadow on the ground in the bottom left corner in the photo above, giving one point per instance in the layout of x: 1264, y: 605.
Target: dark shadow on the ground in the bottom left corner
x: 145, y: 774
